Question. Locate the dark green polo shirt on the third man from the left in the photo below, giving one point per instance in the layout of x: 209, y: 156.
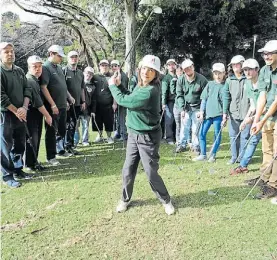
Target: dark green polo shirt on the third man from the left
x: 52, y: 76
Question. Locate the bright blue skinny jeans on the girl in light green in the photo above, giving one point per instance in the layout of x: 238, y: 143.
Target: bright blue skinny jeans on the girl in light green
x: 216, y: 121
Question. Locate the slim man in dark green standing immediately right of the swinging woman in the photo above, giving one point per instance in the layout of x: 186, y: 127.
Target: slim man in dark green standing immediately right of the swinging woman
x: 168, y: 100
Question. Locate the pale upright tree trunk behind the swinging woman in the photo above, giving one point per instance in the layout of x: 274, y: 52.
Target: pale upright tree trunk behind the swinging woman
x: 130, y: 64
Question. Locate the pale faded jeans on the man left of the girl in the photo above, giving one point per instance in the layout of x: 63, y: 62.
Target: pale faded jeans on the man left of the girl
x: 190, y: 125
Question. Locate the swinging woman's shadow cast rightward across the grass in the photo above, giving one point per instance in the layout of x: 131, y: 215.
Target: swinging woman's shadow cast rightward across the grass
x: 202, y: 199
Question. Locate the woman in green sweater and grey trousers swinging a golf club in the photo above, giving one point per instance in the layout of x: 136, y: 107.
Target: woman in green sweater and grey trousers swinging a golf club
x: 144, y: 131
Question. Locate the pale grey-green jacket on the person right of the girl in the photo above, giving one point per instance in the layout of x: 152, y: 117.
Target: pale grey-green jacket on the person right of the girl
x: 238, y: 101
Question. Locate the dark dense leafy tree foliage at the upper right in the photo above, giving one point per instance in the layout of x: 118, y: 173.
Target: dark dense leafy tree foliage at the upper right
x: 209, y: 31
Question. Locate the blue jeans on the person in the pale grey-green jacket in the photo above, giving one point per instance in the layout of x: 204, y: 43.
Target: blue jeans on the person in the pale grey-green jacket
x: 237, y: 147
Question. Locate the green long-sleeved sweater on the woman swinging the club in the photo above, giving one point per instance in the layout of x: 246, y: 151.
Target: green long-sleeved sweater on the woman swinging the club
x: 143, y: 108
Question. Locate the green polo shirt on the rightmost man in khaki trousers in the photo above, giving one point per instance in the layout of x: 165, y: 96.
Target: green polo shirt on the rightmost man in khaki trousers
x: 268, y: 82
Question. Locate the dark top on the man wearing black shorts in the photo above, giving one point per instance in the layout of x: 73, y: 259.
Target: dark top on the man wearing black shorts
x: 103, y: 94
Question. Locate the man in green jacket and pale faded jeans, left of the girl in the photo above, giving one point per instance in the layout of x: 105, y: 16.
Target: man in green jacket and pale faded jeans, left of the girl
x: 188, y: 90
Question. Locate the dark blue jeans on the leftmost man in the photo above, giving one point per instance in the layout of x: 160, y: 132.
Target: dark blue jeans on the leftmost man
x: 13, y: 136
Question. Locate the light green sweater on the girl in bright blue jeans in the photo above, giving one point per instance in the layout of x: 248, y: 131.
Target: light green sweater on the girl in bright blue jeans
x: 214, y: 96
